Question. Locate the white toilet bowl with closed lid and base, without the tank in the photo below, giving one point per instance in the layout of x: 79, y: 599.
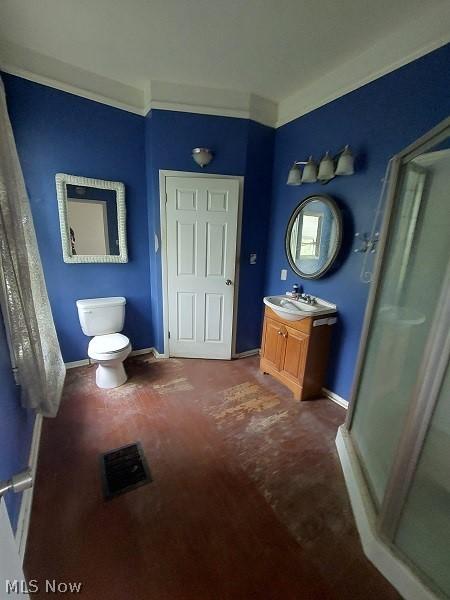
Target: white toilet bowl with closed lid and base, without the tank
x: 109, y: 351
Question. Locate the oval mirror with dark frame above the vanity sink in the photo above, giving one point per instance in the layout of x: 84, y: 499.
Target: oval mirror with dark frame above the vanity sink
x: 313, y: 236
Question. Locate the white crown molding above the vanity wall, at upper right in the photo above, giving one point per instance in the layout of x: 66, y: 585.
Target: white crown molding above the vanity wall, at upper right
x: 411, y: 41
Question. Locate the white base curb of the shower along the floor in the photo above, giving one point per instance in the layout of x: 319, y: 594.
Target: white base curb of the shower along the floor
x: 380, y: 554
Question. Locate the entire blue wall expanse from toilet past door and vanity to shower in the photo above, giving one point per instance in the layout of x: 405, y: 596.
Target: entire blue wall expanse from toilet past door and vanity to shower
x: 56, y: 131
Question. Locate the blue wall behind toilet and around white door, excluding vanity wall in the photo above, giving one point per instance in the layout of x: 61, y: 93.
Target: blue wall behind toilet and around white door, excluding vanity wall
x: 60, y: 132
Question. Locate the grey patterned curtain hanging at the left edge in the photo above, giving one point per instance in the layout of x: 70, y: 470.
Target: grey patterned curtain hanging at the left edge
x: 36, y: 355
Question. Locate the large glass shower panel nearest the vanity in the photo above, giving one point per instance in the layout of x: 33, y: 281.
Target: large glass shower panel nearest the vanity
x: 415, y: 261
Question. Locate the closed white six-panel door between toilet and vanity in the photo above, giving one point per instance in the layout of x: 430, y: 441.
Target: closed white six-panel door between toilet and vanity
x: 201, y: 227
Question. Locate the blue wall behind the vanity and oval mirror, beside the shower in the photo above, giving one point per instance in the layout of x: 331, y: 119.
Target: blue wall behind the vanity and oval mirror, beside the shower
x: 377, y: 120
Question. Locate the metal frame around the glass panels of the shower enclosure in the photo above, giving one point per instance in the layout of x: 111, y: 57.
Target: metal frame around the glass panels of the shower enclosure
x: 434, y: 361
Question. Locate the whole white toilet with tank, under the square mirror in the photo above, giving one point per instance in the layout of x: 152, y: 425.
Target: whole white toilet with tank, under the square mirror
x: 104, y: 318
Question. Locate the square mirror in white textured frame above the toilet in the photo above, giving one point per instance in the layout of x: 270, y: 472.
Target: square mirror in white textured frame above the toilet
x: 92, y: 219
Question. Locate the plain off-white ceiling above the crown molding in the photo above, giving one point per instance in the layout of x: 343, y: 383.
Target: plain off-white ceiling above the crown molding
x: 272, y: 48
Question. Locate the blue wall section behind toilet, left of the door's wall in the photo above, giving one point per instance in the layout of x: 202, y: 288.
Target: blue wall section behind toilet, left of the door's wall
x: 60, y: 132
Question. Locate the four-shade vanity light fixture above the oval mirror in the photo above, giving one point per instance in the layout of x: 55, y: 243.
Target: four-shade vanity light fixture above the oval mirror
x: 329, y: 167
